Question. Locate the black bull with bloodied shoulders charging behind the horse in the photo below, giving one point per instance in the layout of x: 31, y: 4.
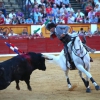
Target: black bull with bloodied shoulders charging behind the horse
x: 20, y: 67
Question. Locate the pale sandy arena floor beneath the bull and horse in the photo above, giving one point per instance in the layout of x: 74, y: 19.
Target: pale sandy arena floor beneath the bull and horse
x: 51, y: 85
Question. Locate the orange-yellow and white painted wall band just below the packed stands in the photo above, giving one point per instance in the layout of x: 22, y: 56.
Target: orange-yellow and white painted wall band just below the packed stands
x: 18, y: 28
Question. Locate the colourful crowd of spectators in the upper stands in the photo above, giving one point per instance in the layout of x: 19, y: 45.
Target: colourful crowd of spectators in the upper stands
x: 57, y: 11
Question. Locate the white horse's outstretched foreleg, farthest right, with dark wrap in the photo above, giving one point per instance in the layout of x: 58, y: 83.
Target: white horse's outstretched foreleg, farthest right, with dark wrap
x: 80, y: 67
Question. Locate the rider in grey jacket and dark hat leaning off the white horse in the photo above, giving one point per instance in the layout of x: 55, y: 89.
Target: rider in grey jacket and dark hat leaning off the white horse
x: 61, y: 32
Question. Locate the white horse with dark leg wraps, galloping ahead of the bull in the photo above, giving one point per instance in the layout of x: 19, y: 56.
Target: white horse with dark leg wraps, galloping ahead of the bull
x: 81, y: 60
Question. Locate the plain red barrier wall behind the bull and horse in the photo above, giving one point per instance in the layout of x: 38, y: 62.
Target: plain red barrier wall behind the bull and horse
x: 42, y: 44
